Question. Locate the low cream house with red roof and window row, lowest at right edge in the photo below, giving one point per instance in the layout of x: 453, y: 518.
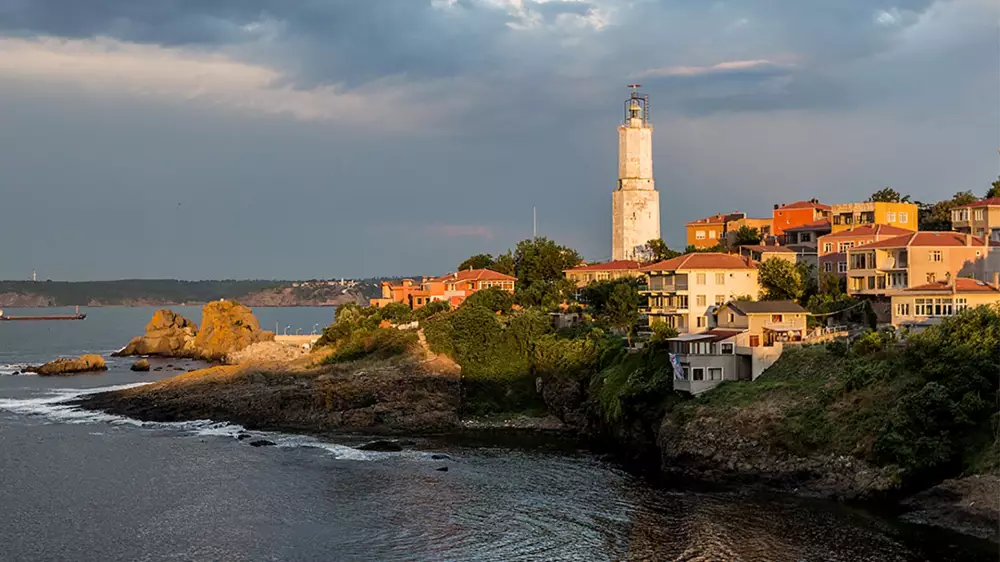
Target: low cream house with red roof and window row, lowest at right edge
x: 929, y: 304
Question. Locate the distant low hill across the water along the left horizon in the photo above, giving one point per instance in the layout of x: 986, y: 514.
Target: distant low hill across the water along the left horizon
x: 166, y: 292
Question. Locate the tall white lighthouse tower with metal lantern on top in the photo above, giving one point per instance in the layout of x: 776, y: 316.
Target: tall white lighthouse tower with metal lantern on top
x: 635, y: 203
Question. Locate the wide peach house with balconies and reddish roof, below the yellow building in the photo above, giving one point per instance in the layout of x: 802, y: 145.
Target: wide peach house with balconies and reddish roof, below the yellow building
x: 885, y: 267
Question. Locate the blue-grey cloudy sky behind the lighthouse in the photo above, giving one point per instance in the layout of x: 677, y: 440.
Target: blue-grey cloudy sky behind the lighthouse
x: 297, y: 139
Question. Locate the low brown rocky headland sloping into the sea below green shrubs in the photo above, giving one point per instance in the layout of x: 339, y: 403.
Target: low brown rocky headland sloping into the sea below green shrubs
x: 403, y: 395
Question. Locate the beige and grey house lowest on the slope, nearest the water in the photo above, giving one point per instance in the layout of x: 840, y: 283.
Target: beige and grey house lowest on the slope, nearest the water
x: 750, y: 336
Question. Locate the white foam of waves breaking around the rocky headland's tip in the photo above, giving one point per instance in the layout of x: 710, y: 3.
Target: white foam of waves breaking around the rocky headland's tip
x: 56, y: 407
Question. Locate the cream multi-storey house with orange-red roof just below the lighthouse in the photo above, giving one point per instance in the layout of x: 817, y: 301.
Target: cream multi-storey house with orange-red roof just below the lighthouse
x: 686, y: 290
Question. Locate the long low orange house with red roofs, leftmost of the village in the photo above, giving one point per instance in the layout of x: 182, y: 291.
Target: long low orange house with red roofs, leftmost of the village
x: 453, y: 288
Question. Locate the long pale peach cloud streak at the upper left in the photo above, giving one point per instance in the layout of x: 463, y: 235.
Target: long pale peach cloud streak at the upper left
x: 174, y: 74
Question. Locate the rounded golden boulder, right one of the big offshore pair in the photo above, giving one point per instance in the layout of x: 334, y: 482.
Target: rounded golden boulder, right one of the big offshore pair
x: 227, y: 327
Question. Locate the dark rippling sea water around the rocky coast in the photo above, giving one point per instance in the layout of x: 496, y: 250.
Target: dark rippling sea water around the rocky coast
x: 86, y: 486
